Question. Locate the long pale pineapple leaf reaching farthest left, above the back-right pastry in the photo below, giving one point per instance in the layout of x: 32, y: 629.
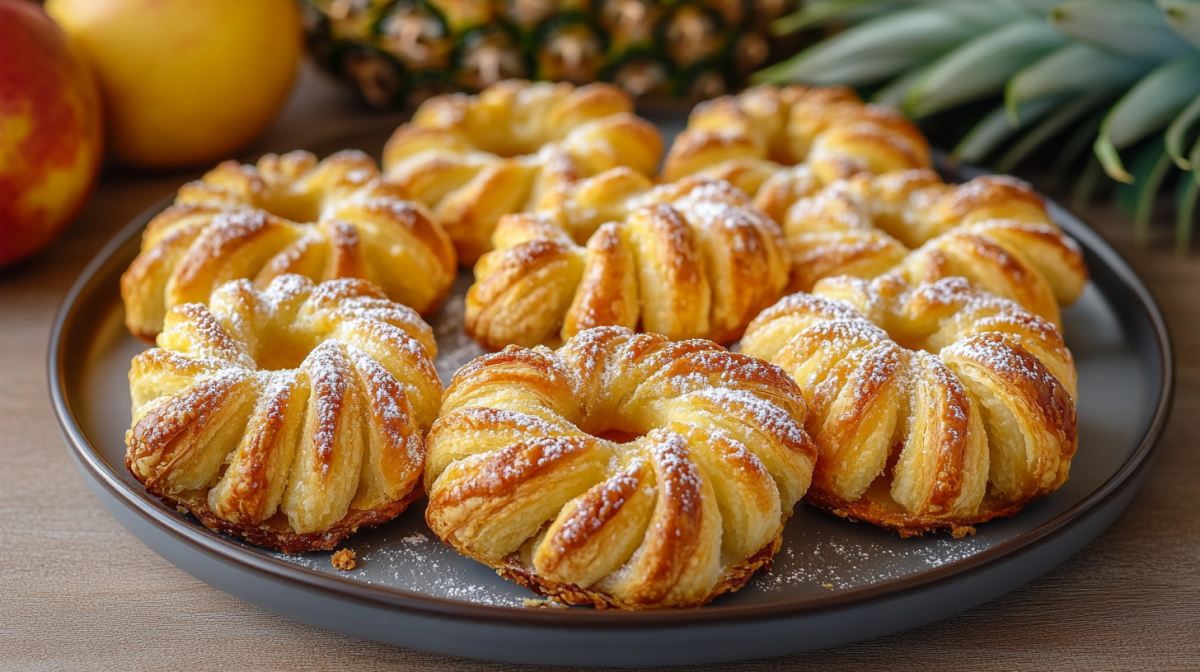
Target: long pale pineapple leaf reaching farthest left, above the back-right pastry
x: 877, y: 50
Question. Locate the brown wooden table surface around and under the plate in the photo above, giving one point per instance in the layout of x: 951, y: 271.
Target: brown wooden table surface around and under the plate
x: 79, y: 592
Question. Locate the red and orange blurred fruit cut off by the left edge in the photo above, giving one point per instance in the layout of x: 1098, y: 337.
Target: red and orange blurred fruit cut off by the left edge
x: 51, y: 130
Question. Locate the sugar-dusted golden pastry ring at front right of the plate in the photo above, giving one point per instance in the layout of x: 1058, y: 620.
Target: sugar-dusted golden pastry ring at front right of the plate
x: 934, y: 407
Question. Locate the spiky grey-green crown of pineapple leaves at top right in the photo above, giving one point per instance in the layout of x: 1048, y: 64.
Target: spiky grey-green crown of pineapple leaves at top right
x: 1112, y: 74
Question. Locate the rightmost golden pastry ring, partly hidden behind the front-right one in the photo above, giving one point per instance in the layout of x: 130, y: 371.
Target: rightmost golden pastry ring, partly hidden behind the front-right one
x: 994, y: 231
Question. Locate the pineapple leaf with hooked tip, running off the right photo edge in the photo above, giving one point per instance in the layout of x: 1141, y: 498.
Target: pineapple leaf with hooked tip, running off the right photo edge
x: 1147, y: 109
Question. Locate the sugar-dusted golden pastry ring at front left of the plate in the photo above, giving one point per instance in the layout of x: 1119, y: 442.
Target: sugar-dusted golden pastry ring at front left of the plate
x: 289, y: 417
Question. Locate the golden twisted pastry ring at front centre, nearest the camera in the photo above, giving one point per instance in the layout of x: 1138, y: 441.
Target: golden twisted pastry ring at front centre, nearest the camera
x: 622, y: 471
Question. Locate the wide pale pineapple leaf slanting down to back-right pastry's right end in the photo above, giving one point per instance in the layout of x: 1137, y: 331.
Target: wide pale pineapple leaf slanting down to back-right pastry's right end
x: 981, y: 67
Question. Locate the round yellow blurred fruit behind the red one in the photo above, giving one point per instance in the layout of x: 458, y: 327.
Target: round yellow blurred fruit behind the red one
x: 187, y: 82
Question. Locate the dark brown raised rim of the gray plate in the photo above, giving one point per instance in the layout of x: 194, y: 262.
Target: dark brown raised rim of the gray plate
x: 389, y: 598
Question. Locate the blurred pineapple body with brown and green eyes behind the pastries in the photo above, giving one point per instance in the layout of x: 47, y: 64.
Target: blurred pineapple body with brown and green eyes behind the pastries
x: 399, y: 52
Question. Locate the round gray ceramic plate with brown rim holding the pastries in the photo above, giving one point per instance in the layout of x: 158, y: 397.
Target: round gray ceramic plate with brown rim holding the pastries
x: 832, y: 583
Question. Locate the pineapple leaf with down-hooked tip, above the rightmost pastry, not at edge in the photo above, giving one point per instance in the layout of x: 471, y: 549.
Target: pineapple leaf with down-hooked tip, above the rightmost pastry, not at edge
x: 1072, y: 69
